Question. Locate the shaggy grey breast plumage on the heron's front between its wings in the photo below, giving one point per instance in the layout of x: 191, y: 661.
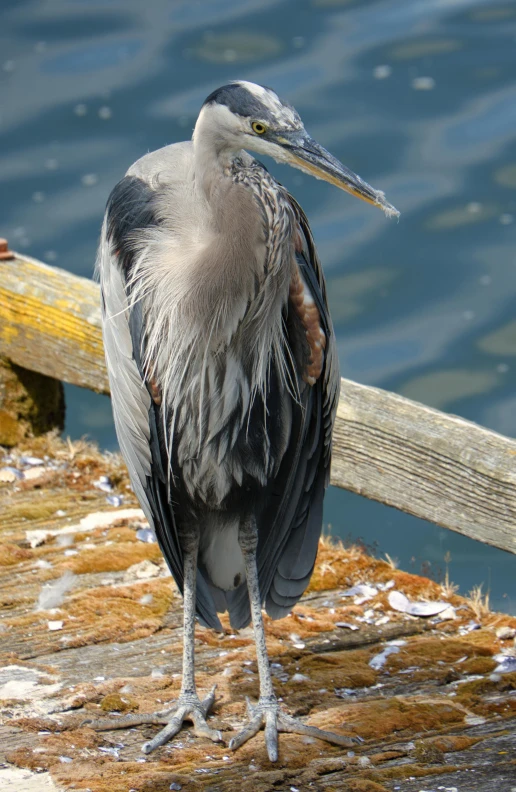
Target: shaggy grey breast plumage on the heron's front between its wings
x: 215, y: 336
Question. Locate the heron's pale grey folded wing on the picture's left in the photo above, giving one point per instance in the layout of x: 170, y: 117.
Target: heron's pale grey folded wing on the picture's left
x: 138, y: 419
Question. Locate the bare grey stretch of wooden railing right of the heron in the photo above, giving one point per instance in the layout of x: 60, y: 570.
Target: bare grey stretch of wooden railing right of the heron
x: 425, y: 462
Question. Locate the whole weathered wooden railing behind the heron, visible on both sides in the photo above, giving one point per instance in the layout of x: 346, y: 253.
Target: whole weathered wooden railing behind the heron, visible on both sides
x: 388, y: 448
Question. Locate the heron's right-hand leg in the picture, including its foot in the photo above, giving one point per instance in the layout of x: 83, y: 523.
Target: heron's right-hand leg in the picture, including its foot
x: 267, y: 713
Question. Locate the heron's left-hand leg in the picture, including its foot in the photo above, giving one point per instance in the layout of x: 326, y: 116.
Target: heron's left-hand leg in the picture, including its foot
x: 188, y: 706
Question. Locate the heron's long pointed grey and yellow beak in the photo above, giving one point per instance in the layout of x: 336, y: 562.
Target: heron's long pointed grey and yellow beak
x: 307, y: 155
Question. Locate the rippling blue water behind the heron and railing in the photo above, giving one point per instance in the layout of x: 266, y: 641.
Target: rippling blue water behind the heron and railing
x: 417, y: 96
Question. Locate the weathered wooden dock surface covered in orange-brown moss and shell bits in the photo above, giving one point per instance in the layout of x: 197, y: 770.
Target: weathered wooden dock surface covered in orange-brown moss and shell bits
x: 435, y: 714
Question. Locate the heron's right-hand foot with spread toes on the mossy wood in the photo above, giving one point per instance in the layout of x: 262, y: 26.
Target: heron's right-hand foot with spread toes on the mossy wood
x: 268, y: 715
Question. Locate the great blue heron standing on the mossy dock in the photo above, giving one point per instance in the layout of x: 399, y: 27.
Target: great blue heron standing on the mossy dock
x: 224, y: 374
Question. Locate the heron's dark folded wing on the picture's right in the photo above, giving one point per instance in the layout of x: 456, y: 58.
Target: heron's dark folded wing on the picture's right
x: 291, y: 521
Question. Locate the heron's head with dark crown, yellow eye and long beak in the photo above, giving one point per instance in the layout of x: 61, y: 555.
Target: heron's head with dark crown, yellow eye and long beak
x: 243, y: 115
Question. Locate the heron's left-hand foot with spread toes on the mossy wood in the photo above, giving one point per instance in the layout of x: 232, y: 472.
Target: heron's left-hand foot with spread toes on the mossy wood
x: 187, y: 707
